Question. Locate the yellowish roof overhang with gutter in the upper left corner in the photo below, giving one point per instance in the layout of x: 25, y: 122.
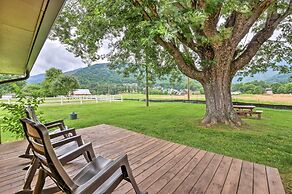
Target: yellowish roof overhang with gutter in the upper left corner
x: 24, y: 27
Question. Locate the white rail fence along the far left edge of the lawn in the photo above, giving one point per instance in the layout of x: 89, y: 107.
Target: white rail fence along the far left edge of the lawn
x: 74, y: 99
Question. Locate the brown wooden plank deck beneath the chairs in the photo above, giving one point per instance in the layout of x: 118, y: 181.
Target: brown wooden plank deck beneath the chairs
x: 159, y: 166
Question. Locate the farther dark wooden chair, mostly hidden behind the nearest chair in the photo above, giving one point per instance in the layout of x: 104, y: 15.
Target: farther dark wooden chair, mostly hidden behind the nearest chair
x: 60, y: 130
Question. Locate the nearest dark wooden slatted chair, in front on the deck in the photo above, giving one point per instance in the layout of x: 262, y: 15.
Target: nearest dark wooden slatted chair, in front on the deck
x: 99, y: 176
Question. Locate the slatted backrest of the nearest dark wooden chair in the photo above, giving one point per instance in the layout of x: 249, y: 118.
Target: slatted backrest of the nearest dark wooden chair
x: 38, y: 137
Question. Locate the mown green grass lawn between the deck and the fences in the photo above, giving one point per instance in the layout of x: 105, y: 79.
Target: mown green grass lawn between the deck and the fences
x: 267, y: 141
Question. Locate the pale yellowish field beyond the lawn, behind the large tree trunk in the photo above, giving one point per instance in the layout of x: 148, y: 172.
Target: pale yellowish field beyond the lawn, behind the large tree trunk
x: 285, y: 99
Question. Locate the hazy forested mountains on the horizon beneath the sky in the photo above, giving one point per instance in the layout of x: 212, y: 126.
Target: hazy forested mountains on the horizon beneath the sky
x: 100, y: 73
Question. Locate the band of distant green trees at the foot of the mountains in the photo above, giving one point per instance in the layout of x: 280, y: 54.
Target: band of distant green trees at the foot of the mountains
x: 56, y: 83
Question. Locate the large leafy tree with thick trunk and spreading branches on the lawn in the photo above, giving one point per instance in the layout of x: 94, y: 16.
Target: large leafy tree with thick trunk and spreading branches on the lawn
x: 207, y: 40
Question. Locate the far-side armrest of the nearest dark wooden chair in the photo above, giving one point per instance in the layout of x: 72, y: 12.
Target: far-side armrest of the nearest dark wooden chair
x: 81, y: 150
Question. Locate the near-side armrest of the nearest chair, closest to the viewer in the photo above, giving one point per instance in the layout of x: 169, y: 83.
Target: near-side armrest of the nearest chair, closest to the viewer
x: 103, y: 175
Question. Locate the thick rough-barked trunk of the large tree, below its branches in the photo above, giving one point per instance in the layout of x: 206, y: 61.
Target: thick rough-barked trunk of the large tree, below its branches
x: 219, y: 107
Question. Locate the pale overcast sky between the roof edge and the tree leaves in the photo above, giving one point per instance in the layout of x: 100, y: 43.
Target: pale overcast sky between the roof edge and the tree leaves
x: 54, y: 54
